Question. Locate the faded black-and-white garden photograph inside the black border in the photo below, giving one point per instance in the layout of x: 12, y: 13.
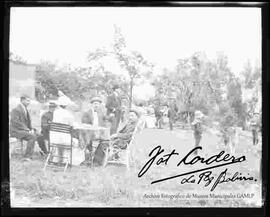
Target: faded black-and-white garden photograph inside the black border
x: 135, y: 107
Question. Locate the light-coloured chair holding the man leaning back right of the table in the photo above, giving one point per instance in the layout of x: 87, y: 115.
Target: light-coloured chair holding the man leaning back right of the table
x: 125, y: 155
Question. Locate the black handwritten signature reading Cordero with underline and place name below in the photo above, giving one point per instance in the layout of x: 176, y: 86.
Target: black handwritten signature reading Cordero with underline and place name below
x: 205, y: 173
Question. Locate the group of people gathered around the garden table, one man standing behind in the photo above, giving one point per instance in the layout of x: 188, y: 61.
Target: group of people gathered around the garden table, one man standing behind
x: 122, y: 121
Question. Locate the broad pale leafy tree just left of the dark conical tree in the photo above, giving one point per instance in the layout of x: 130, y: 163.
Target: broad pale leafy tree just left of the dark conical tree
x: 190, y: 83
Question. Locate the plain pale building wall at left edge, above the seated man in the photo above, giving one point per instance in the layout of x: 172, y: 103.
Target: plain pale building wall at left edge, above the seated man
x: 21, y: 79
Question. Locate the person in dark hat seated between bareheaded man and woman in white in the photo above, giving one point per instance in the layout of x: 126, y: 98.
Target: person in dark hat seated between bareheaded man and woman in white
x: 46, y: 119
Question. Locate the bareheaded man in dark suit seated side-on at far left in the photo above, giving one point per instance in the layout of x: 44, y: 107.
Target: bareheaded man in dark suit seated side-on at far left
x: 21, y: 127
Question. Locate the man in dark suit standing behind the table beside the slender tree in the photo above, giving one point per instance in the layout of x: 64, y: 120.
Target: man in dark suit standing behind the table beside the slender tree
x: 113, y: 106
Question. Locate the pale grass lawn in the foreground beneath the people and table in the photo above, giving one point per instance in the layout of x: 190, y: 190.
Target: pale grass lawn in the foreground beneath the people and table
x: 116, y: 187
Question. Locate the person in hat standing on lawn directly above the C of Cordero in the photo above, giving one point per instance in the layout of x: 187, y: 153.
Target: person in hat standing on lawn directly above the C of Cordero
x: 197, y: 128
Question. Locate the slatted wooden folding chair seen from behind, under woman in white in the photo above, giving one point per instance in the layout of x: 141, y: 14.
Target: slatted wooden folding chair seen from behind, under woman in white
x: 59, y: 129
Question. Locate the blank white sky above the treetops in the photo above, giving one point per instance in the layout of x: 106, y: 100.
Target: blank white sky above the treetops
x: 162, y: 34
